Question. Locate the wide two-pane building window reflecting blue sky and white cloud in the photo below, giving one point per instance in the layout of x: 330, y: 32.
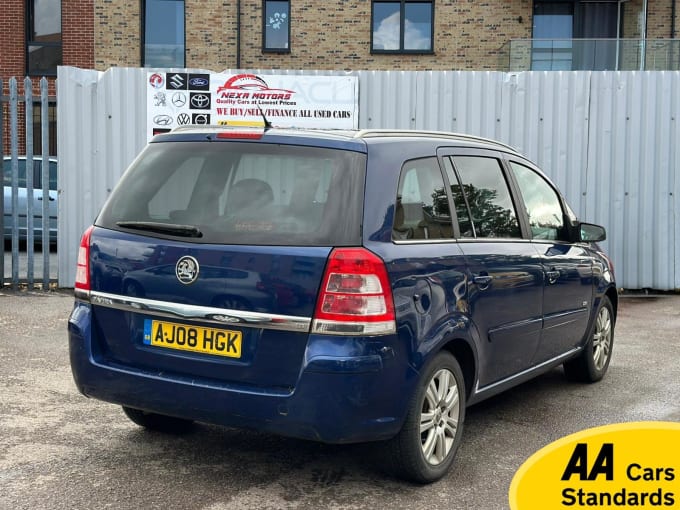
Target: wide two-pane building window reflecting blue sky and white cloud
x: 405, y: 26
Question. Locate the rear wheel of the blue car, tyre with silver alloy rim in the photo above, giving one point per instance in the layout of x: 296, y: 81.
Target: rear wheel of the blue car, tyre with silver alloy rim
x: 425, y: 447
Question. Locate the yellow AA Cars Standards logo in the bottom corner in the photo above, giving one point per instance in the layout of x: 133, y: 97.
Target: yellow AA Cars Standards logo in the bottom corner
x: 628, y: 465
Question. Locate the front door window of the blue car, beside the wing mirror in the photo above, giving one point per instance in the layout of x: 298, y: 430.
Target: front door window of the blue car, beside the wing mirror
x: 544, y: 210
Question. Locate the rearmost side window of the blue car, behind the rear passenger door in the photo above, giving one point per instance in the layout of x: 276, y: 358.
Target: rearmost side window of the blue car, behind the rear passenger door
x: 422, y: 209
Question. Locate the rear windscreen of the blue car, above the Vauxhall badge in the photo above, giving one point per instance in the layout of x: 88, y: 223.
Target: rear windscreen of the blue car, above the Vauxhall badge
x: 242, y: 193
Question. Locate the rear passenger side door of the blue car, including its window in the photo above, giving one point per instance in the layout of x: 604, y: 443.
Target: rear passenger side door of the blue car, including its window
x: 505, y: 272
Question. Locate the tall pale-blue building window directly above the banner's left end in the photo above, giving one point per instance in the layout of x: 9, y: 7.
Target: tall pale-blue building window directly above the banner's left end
x: 163, y: 33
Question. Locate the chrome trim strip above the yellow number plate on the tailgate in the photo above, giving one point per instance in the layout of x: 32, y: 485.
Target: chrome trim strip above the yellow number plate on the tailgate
x: 213, y: 315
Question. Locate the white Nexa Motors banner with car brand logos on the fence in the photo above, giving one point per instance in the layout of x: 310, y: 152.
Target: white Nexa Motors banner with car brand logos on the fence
x: 178, y: 99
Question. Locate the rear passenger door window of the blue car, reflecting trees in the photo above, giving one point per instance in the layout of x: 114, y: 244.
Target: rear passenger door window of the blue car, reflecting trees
x: 488, y: 195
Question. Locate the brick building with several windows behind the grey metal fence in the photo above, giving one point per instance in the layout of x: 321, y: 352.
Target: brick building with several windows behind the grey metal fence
x: 38, y: 35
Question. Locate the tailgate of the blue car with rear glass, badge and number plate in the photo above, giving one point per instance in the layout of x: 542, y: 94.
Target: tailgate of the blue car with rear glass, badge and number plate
x: 207, y: 259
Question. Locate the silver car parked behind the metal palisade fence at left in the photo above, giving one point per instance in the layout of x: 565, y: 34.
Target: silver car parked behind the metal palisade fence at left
x: 22, y: 211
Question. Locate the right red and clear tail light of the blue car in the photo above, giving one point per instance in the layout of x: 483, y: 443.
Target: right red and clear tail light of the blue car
x: 355, y: 297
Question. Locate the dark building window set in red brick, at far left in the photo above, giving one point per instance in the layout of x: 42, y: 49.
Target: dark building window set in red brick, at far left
x: 43, y: 37
